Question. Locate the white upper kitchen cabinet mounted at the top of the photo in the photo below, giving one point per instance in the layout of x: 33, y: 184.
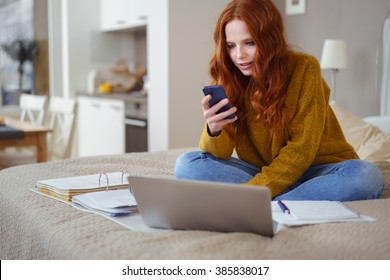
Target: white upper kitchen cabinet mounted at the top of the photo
x: 123, y: 14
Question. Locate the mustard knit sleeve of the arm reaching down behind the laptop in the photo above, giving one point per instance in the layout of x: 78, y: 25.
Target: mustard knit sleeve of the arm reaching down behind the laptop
x: 305, y: 129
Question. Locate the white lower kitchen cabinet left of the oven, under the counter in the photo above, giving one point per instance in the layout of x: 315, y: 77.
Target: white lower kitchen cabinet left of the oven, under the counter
x: 101, y: 129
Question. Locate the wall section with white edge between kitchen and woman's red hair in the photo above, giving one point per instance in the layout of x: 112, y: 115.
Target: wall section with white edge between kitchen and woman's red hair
x: 180, y: 44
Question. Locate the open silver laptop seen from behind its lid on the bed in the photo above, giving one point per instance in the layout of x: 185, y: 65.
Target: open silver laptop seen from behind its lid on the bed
x: 201, y: 205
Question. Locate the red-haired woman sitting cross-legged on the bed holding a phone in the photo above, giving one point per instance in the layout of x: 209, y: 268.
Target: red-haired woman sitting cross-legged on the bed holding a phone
x: 285, y: 134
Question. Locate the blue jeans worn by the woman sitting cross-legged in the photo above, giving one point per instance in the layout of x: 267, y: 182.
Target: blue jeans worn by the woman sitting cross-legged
x: 344, y: 181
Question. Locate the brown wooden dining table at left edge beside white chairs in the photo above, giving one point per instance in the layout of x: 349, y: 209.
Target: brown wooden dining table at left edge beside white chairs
x: 34, y: 135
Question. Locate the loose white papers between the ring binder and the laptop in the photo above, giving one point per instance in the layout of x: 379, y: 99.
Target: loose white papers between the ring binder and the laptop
x: 114, y: 203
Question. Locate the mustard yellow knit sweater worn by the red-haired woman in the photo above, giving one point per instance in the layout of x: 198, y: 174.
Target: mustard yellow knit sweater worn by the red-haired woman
x: 314, y: 135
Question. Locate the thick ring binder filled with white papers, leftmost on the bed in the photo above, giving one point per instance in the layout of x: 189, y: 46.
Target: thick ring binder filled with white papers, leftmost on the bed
x: 65, y: 188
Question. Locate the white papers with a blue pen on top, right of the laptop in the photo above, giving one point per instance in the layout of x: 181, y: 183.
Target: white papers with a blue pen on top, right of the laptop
x: 315, y: 212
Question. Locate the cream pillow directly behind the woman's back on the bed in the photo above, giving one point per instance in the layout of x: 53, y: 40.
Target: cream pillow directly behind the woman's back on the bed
x: 369, y: 141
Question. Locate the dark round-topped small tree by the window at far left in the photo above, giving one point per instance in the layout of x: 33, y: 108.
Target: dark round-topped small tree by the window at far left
x: 21, y: 51
